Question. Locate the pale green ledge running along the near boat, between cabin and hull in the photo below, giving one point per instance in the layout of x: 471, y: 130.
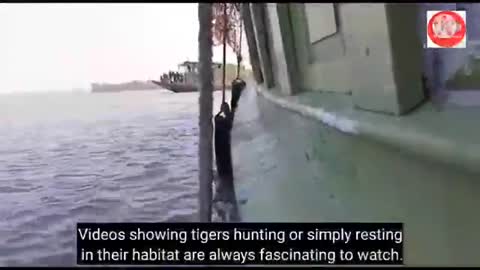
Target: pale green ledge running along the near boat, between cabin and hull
x: 451, y: 137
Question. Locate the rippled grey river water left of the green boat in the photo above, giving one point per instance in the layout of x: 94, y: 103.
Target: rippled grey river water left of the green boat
x: 81, y: 157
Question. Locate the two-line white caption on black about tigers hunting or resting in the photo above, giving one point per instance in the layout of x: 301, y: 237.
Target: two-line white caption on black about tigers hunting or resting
x: 240, y: 243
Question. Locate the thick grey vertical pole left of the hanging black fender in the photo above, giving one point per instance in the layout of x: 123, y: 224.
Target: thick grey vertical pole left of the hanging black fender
x: 205, y: 149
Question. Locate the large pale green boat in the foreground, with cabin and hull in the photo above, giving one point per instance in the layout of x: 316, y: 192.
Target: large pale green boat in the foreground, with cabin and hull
x: 337, y: 126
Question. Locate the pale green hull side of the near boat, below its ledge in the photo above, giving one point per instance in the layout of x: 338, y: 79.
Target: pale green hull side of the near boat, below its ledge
x: 292, y: 169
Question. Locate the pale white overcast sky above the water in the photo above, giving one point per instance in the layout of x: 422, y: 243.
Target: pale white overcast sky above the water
x: 51, y: 47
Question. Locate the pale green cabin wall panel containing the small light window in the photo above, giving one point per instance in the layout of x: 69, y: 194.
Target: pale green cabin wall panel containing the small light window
x: 319, y: 47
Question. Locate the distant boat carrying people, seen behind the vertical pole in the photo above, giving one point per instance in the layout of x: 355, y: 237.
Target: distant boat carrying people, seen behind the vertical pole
x: 188, y: 81
